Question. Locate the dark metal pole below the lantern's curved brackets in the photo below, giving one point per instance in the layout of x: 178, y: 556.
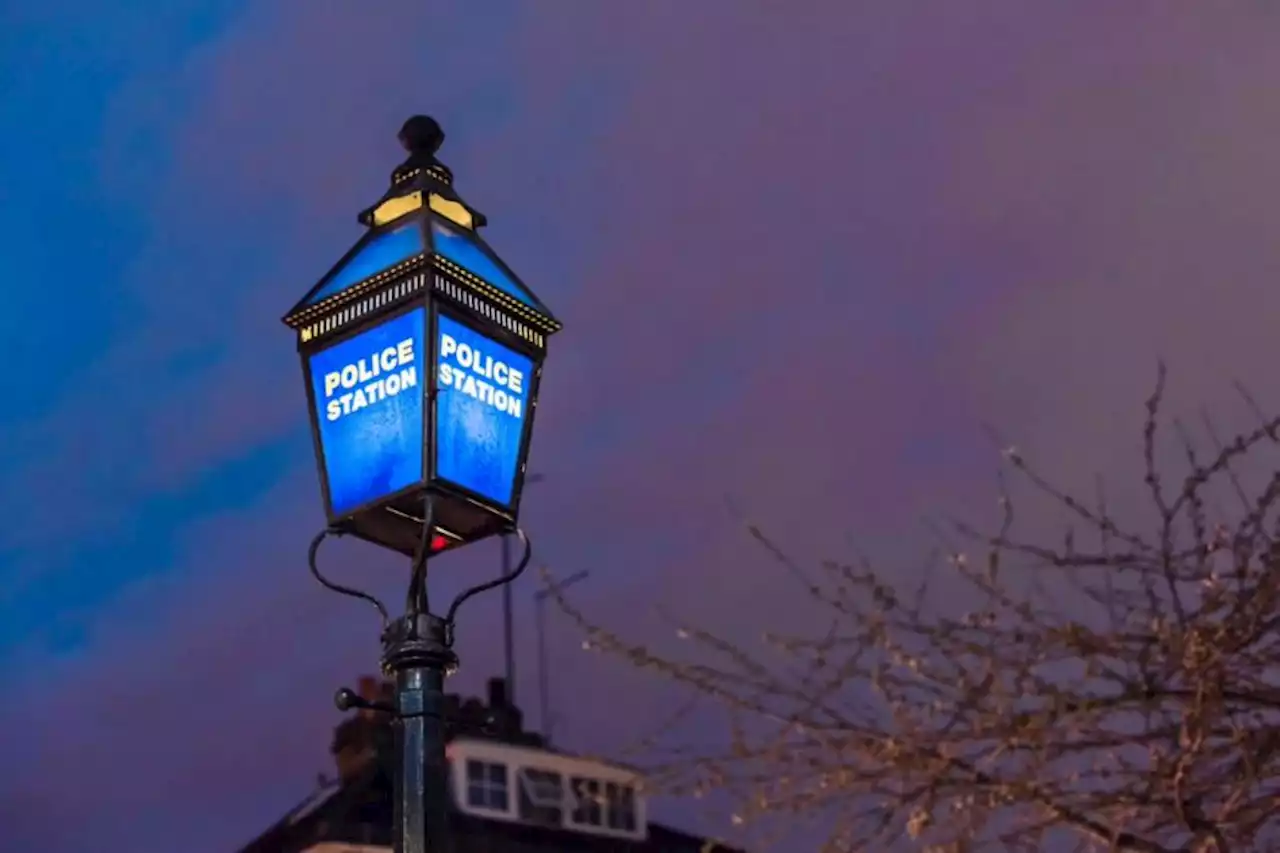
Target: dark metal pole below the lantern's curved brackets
x: 417, y: 655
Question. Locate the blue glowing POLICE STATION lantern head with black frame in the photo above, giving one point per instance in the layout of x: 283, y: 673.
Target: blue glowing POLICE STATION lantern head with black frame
x: 423, y: 354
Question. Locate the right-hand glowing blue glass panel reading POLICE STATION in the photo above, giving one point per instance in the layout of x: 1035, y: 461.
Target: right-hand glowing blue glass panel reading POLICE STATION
x: 482, y: 407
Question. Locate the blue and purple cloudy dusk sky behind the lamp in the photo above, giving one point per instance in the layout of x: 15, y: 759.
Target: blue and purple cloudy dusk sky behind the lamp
x: 803, y: 253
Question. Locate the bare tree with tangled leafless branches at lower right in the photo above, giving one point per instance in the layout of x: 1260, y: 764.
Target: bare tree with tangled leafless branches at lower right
x: 1118, y: 687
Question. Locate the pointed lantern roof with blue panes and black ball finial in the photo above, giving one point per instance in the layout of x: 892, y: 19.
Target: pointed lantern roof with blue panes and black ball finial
x: 420, y: 221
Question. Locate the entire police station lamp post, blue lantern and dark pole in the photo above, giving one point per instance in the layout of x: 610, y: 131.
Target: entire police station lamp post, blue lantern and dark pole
x: 423, y: 354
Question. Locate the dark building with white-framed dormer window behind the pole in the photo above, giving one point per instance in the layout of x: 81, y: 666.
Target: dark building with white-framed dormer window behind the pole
x: 510, y: 792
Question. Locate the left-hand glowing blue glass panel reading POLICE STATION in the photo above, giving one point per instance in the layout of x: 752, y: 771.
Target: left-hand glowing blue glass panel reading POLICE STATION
x: 368, y: 395
